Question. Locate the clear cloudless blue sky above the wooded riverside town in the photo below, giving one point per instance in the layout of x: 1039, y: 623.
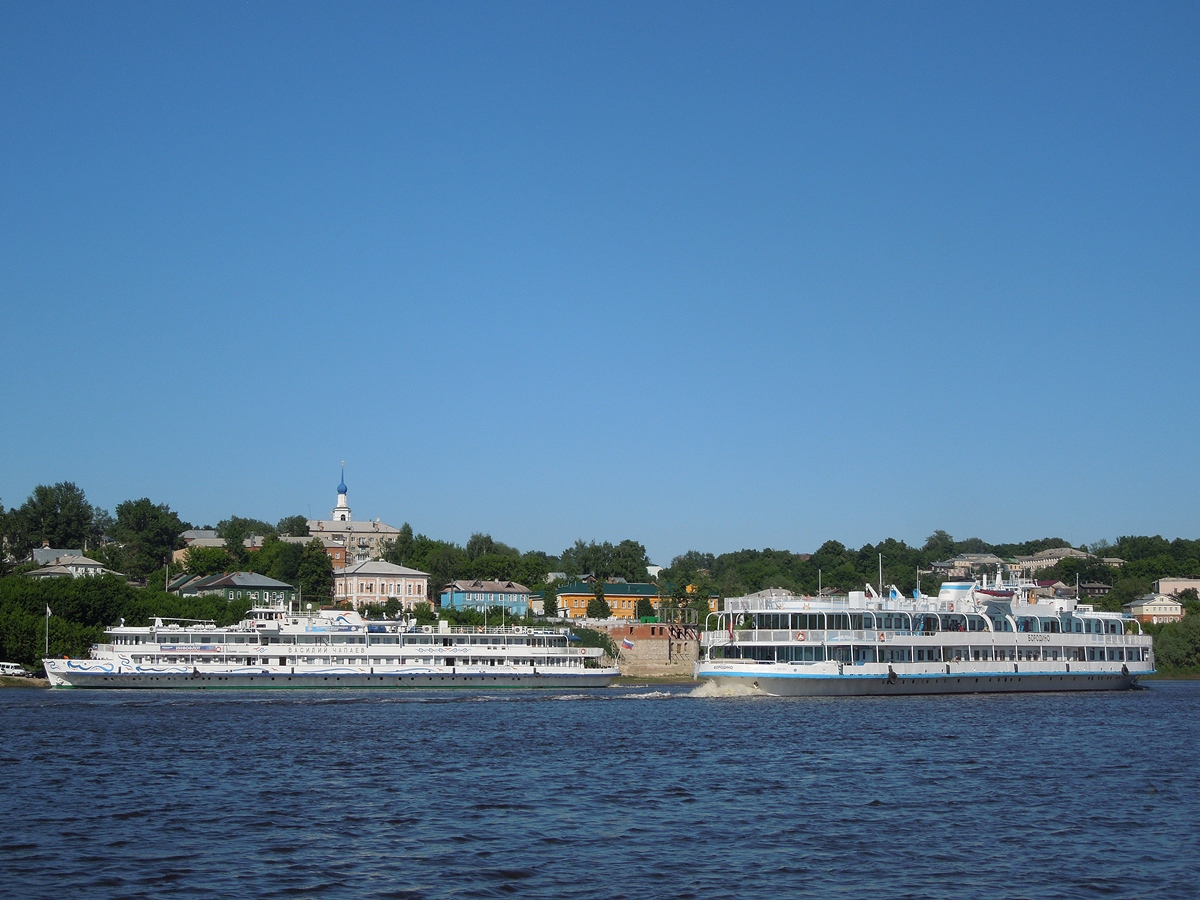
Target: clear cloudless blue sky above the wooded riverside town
x: 707, y: 277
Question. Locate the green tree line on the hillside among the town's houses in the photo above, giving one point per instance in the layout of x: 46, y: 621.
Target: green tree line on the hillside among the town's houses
x: 141, y: 537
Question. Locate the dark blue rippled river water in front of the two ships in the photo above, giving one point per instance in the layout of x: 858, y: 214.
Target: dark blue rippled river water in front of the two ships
x: 623, y: 793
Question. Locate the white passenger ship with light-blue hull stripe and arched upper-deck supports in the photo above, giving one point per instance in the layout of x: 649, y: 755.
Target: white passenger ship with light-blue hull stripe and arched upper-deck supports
x: 969, y: 639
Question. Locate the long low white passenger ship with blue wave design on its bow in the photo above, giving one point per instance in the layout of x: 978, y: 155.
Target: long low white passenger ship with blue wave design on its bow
x: 274, y: 647
